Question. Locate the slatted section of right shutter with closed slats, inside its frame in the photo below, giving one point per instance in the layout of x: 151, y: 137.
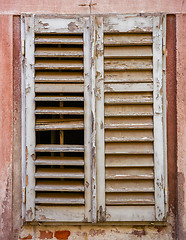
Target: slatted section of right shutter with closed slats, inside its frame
x: 128, y: 122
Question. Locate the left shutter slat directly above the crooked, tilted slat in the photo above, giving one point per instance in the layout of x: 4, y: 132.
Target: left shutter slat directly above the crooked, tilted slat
x: 59, y: 110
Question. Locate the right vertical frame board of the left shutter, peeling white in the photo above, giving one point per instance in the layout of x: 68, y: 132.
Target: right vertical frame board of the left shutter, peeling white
x: 87, y: 120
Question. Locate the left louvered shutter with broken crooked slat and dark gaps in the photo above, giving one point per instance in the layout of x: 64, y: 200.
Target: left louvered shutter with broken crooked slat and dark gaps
x: 58, y: 125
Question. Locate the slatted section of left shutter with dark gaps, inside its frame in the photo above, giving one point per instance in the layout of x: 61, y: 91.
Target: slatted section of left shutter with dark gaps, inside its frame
x: 59, y: 111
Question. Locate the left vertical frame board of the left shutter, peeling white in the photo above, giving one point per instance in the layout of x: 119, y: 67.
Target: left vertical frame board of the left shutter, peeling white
x: 30, y: 118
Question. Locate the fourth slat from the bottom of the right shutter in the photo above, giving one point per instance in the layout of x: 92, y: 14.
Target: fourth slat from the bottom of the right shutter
x: 129, y: 160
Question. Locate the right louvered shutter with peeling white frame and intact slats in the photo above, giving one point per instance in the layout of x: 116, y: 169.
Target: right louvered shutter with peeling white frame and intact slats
x: 129, y: 115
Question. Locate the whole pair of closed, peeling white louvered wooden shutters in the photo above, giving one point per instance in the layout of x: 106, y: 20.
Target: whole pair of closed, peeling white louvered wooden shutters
x: 94, y: 138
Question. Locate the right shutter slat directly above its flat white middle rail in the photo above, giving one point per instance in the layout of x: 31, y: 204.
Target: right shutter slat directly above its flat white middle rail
x: 128, y: 76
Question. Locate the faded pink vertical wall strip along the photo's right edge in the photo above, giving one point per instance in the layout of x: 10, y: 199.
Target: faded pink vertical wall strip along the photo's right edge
x: 181, y: 122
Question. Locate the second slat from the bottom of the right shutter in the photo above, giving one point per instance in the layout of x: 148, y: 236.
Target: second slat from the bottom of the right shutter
x: 129, y: 186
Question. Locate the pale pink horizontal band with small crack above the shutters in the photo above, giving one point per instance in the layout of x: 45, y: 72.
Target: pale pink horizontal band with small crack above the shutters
x: 100, y: 6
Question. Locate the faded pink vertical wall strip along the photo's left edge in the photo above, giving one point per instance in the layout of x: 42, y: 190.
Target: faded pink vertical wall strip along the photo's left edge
x: 6, y: 134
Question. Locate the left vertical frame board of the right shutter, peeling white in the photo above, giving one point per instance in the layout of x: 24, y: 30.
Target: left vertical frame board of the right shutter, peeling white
x: 100, y: 145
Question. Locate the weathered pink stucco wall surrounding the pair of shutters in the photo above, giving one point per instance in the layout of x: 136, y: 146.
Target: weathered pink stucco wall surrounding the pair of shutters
x: 10, y: 129
